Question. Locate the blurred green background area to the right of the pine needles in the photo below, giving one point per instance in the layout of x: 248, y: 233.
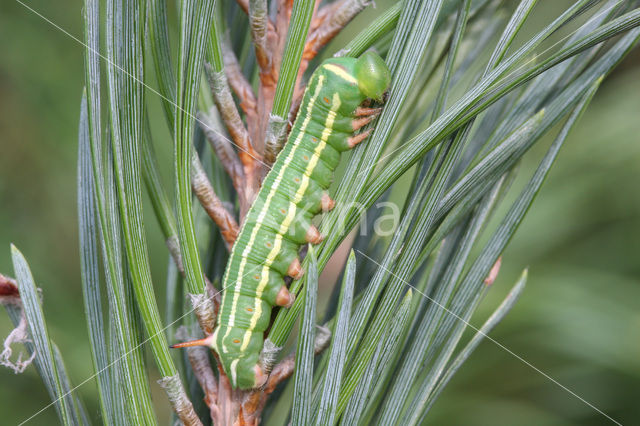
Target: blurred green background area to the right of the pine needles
x: 579, y: 317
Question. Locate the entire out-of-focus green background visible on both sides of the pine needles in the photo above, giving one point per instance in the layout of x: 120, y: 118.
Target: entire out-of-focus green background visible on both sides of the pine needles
x: 578, y: 320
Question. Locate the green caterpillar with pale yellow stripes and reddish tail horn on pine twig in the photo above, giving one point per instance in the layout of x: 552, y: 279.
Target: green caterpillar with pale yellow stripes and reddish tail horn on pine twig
x: 279, y: 221
